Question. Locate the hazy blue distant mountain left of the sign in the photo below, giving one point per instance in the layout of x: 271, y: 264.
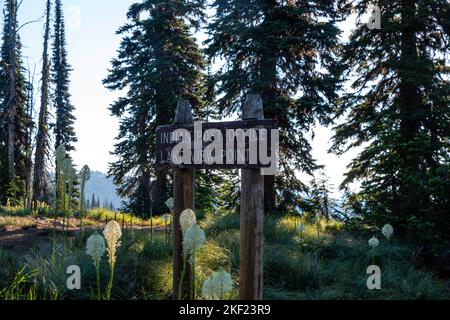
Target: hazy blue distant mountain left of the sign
x: 103, y: 188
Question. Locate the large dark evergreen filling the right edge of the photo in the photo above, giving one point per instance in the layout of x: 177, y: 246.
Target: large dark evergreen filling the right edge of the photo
x: 399, y: 112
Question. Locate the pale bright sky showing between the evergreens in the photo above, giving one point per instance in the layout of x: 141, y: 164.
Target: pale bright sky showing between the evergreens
x: 91, y: 45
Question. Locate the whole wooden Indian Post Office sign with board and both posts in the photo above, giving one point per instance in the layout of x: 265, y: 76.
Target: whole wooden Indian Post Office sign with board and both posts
x: 187, y: 145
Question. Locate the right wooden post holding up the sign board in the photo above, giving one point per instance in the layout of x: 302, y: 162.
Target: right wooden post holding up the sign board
x: 252, y: 218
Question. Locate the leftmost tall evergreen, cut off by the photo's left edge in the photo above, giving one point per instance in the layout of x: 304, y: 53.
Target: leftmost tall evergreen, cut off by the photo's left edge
x: 13, y: 114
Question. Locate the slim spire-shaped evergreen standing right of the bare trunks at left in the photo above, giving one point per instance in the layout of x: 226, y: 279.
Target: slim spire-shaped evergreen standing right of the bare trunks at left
x: 64, y: 127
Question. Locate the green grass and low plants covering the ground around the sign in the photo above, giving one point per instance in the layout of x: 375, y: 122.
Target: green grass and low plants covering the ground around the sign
x: 302, y: 260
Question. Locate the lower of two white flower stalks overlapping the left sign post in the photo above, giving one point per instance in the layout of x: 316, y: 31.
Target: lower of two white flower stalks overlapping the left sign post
x: 193, y: 239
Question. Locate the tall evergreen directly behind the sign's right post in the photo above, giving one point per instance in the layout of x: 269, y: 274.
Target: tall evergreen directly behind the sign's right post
x: 283, y: 50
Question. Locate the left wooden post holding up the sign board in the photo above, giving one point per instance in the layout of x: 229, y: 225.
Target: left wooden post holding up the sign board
x: 183, y: 198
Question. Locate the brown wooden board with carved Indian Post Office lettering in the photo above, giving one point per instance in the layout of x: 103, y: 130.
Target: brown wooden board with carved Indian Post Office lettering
x: 240, y: 143
